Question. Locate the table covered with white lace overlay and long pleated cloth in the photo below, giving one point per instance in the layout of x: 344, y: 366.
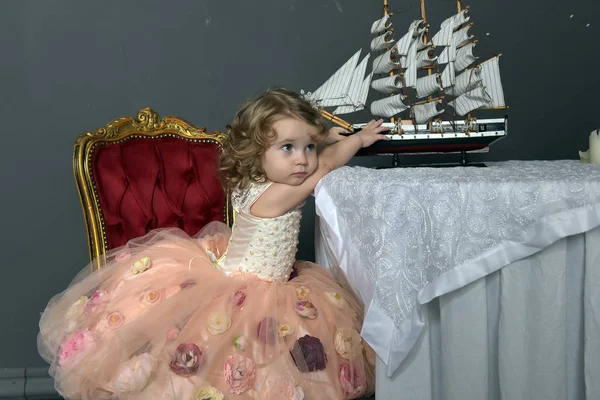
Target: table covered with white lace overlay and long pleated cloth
x: 478, y: 283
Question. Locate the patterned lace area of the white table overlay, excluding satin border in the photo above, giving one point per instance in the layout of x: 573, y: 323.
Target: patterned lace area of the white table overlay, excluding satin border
x: 411, y: 225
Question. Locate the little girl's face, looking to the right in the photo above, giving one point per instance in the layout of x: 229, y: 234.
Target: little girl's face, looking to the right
x: 292, y: 155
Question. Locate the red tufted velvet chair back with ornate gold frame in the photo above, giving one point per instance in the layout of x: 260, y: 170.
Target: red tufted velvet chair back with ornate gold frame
x: 143, y: 173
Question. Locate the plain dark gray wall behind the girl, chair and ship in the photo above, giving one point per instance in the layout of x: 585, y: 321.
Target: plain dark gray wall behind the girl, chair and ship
x: 69, y: 66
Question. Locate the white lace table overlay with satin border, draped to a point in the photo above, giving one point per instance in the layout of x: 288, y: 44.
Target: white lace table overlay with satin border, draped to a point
x: 403, y: 237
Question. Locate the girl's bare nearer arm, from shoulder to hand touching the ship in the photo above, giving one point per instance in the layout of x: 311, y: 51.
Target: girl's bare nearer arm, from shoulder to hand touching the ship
x: 279, y: 198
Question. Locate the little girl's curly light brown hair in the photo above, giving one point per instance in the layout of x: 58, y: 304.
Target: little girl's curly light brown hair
x: 251, y: 133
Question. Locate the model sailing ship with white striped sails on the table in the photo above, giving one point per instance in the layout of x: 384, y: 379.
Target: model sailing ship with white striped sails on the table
x: 418, y: 88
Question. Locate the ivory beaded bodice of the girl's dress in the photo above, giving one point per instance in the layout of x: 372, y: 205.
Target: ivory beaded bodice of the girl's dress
x: 265, y: 247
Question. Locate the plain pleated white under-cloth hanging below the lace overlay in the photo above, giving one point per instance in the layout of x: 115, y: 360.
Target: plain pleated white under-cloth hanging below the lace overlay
x: 527, y: 331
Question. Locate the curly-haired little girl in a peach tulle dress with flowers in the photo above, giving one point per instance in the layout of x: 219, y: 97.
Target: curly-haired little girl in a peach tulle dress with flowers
x: 228, y: 314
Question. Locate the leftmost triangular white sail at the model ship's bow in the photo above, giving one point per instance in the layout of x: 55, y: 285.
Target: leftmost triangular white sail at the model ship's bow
x: 334, y: 91
